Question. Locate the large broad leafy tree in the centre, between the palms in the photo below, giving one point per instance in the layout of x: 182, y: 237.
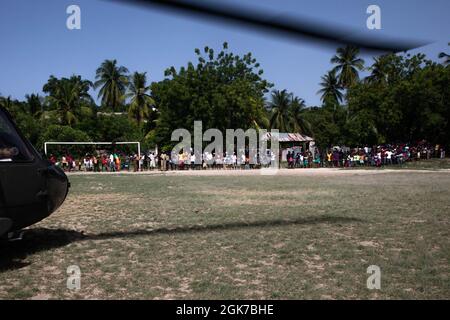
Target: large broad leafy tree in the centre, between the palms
x: 222, y: 90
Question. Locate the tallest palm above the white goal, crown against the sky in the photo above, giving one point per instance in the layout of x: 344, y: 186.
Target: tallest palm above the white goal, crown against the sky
x: 112, y: 81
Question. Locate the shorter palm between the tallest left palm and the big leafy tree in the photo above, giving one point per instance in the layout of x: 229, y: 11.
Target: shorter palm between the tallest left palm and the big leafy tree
x: 140, y: 102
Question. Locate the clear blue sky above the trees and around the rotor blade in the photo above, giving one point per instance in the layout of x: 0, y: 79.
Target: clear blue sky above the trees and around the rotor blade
x: 35, y: 42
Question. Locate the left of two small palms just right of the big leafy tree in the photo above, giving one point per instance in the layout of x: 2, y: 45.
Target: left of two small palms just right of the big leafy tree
x: 280, y: 105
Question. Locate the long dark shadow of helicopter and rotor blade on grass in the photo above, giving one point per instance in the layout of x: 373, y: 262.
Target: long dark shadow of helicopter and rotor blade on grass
x: 13, y: 254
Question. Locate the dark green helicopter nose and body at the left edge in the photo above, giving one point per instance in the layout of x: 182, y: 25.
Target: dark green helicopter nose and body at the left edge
x: 31, y: 187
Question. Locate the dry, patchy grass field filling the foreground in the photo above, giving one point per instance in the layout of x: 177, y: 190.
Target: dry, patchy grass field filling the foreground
x: 257, y: 237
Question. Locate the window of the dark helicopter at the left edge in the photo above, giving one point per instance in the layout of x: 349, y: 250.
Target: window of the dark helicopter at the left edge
x: 12, y: 147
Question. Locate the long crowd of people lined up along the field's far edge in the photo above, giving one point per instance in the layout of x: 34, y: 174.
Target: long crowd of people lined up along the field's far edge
x: 337, y: 156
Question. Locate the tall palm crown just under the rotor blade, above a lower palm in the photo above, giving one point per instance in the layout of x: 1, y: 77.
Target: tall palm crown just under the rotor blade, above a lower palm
x: 348, y: 65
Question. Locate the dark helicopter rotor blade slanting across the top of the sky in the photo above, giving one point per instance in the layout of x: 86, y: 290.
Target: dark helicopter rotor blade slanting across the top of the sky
x: 293, y: 27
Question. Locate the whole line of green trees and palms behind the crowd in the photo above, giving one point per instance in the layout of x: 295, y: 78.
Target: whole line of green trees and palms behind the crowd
x: 405, y: 98
